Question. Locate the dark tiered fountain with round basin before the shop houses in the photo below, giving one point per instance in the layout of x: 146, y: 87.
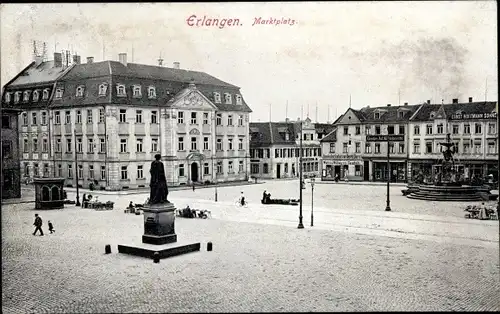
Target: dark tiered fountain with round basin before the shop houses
x: 448, y: 182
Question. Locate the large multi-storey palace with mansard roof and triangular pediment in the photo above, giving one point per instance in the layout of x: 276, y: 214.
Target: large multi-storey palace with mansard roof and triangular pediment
x: 114, y: 116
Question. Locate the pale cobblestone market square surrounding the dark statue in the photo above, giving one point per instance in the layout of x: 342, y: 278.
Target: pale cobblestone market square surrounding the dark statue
x: 422, y: 256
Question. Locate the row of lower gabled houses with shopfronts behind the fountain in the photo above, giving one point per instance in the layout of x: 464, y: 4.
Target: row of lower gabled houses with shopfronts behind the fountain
x: 344, y: 149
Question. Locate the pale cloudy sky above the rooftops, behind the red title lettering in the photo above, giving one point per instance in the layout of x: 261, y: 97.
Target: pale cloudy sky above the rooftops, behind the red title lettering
x: 335, y: 55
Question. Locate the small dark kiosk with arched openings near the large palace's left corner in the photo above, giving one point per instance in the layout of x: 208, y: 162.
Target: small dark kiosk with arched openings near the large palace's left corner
x: 49, y: 193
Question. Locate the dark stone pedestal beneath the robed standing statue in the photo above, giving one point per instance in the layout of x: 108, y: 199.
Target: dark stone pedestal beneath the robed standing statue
x: 159, y: 224
